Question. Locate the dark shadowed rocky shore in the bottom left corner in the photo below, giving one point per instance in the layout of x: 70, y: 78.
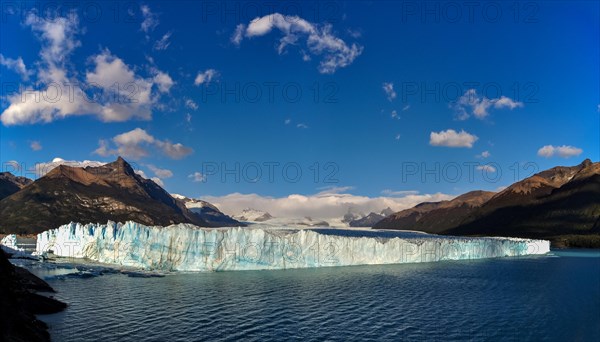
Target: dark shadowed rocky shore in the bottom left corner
x: 20, y: 302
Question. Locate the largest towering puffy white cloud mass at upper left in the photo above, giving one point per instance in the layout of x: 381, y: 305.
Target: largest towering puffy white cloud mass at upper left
x: 110, y: 90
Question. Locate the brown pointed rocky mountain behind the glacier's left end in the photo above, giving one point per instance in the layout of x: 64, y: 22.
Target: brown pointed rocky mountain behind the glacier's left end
x: 111, y: 191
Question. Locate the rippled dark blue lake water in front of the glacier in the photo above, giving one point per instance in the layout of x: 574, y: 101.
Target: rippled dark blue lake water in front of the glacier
x: 554, y: 297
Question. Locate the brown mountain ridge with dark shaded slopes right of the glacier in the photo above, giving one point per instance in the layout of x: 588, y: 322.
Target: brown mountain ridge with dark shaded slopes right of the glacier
x: 561, y: 204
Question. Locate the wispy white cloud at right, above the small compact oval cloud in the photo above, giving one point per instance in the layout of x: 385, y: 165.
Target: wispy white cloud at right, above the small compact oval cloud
x: 470, y: 103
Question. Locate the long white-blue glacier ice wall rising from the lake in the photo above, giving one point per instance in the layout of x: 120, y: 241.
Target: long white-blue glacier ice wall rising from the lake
x: 185, y: 247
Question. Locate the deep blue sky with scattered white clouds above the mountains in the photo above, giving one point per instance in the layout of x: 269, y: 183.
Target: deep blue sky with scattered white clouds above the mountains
x: 369, y: 94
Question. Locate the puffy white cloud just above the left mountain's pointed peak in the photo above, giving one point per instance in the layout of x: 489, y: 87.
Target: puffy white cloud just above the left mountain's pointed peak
x: 137, y: 144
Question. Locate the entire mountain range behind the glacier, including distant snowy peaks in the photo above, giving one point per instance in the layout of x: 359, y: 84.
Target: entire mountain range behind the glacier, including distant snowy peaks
x: 561, y: 204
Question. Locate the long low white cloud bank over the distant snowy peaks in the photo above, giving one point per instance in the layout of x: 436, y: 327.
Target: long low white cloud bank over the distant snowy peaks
x: 321, y: 205
